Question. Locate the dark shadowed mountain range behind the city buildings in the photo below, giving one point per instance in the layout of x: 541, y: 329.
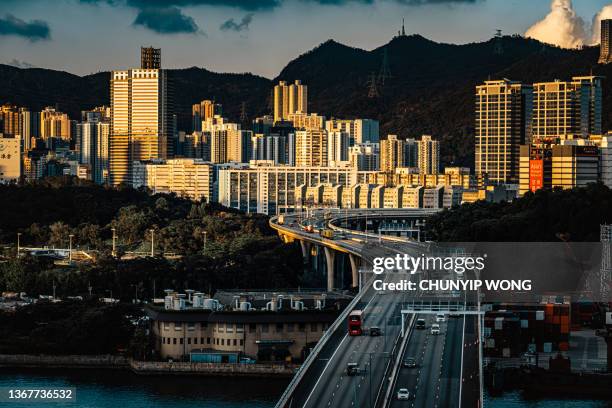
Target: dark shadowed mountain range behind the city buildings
x: 429, y: 90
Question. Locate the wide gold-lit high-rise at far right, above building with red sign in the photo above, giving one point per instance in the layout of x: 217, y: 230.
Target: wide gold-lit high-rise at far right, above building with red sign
x: 567, y: 108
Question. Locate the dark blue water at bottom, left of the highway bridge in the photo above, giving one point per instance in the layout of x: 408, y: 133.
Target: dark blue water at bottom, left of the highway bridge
x: 121, y: 389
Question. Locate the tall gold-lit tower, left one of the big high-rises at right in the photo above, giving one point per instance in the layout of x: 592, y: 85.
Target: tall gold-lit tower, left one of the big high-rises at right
x: 503, y: 123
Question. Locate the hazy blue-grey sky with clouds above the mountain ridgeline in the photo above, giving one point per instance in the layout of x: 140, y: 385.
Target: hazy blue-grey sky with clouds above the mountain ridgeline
x: 261, y: 36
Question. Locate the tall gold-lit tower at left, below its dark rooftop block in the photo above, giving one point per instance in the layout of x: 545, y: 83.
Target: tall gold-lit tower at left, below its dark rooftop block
x: 142, y: 121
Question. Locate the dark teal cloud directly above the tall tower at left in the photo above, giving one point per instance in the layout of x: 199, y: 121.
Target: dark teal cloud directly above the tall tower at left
x: 166, y: 20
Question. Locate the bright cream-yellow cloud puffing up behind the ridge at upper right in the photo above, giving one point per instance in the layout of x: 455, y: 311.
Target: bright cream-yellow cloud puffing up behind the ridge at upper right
x: 562, y: 26
